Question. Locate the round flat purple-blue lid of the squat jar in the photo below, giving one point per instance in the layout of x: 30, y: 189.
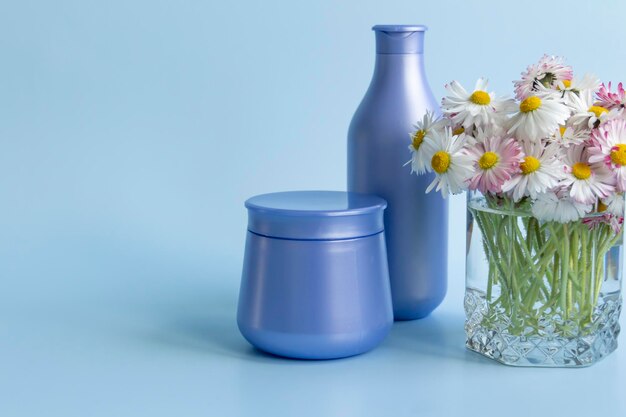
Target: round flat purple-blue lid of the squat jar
x: 315, y: 215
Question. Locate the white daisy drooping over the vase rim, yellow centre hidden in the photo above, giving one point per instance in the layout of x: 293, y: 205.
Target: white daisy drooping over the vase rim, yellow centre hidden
x: 550, y: 206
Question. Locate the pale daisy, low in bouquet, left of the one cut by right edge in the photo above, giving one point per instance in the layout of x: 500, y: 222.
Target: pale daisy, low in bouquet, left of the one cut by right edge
x: 586, y: 182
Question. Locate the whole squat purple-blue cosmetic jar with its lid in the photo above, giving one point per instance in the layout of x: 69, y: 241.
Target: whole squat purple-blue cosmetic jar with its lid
x: 315, y: 281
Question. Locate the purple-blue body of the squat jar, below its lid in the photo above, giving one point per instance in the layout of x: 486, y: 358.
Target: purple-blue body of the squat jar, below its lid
x: 315, y: 299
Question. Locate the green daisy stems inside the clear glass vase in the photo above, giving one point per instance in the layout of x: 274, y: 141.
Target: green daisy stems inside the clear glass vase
x: 542, y: 272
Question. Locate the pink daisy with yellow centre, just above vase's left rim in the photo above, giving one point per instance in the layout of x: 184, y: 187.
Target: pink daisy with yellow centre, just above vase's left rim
x: 495, y: 159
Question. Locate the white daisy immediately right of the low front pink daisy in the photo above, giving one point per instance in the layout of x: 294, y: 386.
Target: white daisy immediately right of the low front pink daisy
x: 540, y: 171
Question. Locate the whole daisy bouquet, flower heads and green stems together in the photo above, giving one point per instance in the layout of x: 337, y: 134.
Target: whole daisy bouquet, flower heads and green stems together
x: 551, y: 165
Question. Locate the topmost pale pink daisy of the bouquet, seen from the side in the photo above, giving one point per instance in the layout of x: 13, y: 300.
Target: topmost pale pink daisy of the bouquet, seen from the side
x: 547, y: 72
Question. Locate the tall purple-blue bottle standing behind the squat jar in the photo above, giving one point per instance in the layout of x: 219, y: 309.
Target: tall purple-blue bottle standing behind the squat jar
x: 416, y: 223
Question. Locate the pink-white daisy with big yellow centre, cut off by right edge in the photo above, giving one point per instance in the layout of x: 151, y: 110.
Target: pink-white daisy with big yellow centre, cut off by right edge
x: 609, y: 147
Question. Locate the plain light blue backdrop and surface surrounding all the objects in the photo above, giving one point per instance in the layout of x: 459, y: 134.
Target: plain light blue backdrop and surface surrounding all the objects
x: 131, y: 134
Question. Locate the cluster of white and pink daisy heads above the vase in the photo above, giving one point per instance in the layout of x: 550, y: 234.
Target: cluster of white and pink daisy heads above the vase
x: 558, y: 148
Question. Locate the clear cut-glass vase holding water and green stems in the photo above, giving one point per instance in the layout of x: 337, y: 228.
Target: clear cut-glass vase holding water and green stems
x: 541, y: 293
